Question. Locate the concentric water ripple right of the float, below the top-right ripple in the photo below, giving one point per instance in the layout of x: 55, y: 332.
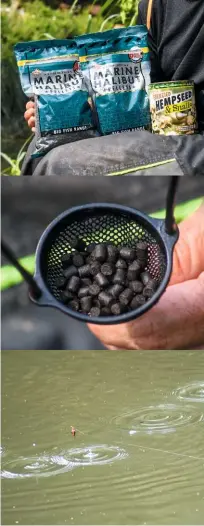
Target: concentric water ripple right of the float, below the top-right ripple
x: 158, y: 419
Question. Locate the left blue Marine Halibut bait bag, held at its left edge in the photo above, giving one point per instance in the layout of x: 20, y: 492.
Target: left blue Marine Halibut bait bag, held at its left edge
x: 50, y: 72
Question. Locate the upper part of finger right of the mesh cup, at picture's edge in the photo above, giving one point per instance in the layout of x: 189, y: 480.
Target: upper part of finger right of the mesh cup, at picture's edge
x: 188, y: 253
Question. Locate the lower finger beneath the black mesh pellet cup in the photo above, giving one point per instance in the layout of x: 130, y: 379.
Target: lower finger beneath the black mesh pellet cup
x: 176, y: 322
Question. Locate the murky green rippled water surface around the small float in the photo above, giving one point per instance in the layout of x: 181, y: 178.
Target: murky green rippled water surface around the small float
x: 139, y: 455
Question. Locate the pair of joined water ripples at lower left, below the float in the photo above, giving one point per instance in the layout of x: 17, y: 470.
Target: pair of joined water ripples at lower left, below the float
x: 50, y: 465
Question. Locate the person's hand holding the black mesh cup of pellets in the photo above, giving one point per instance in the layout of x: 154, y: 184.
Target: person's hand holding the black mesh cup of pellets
x: 177, y: 321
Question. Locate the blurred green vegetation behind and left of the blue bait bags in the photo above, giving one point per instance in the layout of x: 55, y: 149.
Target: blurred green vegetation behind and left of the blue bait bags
x: 23, y: 20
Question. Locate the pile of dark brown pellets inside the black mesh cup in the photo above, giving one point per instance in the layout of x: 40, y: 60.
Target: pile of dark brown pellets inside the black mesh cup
x: 105, y: 280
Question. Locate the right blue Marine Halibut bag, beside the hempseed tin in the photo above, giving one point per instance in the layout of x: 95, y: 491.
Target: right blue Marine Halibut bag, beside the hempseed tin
x: 116, y: 67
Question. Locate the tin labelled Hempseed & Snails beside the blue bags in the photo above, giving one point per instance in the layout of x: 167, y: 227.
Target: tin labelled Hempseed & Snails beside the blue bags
x: 173, y: 108
